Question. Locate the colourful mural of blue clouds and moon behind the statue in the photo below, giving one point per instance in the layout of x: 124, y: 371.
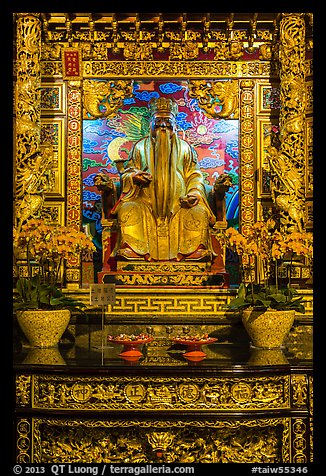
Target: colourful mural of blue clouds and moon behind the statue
x: 106, y: 140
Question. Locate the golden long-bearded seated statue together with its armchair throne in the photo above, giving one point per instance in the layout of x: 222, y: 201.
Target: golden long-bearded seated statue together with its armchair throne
x: 161, y: 213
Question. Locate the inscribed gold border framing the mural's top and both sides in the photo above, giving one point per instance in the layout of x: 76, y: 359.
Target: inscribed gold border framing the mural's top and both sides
x: 186, y: 70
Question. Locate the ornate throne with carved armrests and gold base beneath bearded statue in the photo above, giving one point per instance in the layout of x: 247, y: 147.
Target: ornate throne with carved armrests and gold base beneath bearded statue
x: 137, y: 272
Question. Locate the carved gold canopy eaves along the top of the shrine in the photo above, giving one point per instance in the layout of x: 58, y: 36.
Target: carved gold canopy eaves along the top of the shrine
x: 164, y: 28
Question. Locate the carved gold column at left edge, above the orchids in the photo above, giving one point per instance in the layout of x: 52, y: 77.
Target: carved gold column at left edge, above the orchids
x: 27, y: 102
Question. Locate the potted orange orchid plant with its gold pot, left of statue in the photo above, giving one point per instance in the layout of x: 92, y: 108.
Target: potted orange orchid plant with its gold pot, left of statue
x: 42, y: 309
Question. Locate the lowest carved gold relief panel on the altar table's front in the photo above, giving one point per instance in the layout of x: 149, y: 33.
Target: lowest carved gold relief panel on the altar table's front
x: 171, y: 441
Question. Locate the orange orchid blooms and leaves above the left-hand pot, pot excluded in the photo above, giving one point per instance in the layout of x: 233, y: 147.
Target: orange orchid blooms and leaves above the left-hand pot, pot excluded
x: 45, y: 246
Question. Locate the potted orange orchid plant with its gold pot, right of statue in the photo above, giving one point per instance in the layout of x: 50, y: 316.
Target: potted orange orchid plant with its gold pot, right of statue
x: 267, y: 306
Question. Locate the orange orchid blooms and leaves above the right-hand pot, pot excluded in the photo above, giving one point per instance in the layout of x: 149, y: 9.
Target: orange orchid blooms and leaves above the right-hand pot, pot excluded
x: 263, y: 242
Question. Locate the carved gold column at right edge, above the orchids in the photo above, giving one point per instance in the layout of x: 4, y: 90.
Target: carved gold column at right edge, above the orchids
x: 288, y: 162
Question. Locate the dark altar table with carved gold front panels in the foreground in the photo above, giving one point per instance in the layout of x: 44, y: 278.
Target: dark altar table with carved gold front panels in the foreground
x: 82, y: 404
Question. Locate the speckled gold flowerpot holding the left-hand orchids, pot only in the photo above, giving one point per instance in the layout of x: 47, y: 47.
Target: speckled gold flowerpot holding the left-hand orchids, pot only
x: 43, y: 328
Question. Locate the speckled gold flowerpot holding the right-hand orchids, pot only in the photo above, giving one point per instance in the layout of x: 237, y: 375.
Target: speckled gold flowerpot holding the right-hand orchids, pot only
x: 268, y: 329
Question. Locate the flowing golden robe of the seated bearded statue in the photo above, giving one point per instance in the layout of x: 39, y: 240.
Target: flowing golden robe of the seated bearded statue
x: 151, y: 219
